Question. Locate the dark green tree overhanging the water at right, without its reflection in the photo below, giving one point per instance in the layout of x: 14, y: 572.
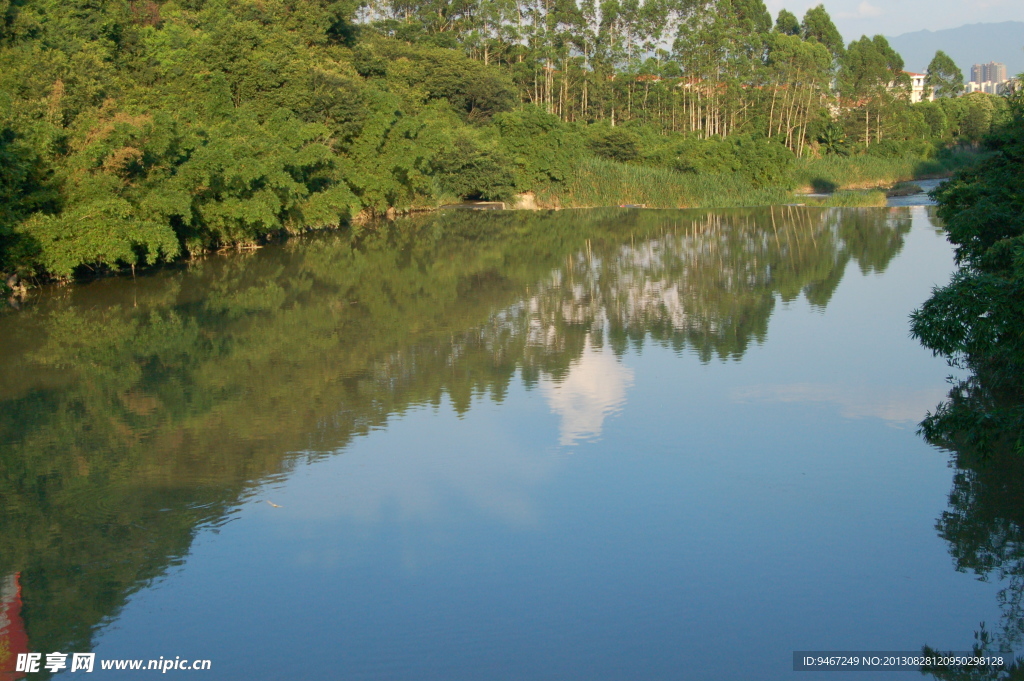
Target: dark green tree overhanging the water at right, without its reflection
x: 977, y: 319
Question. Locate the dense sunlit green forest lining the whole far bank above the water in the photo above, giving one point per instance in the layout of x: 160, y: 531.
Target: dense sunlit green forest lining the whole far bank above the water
x: 140, y: 132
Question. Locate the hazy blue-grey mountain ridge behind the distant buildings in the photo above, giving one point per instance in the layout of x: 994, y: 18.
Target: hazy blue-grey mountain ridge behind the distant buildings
x: 975, y: 44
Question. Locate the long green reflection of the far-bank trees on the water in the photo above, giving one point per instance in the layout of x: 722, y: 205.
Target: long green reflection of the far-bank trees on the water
x: 133, y: 416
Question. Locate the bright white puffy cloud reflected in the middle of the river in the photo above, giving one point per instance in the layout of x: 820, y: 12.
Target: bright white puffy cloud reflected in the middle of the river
x: 593, y: 390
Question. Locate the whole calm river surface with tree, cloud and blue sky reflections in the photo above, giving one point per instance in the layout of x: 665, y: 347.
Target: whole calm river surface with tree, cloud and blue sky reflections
x: 588, y: 445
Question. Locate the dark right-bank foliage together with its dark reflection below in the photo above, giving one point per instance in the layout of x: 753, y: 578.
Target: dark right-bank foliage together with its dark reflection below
x: 976, y: 322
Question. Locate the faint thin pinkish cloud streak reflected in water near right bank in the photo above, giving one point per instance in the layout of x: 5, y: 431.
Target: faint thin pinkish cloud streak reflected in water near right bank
x: 898, y: 406
